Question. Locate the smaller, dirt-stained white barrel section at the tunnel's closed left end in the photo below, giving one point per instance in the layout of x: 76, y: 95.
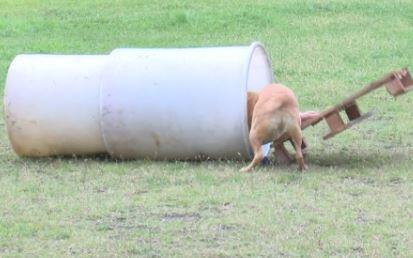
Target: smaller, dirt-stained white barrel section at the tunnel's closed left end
x: 51, y: 104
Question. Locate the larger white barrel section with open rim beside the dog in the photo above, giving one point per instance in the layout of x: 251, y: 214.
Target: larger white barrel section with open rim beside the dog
x: 180, y: 103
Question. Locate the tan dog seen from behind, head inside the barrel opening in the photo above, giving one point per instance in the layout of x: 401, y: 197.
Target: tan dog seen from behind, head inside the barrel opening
x: 272, y: 113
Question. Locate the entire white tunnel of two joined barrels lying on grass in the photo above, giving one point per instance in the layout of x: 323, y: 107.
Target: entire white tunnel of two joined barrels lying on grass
x: 135, y: 103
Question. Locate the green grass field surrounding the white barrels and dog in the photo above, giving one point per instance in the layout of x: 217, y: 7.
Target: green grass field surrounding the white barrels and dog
x: 355, y: 200
